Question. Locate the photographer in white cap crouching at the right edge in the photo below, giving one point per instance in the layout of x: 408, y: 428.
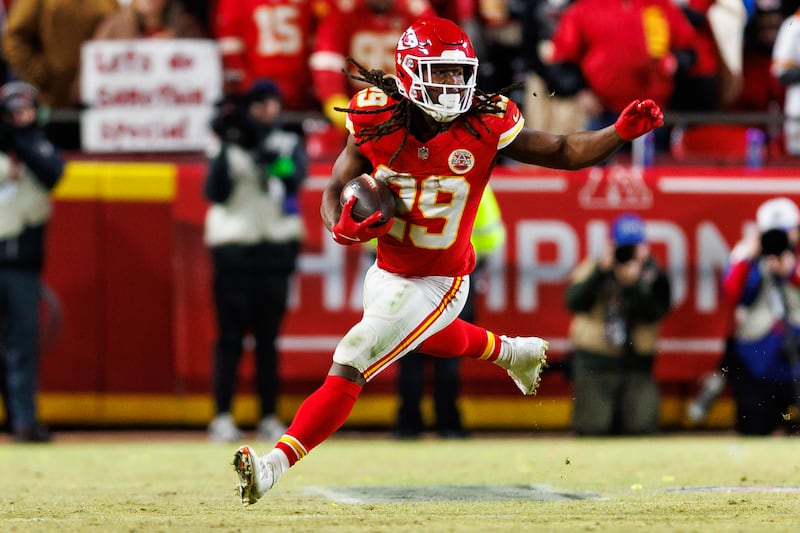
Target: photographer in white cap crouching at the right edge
x: 763, y: 282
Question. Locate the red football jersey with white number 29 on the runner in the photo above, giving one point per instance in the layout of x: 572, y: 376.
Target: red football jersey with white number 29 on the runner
x: 439, y: 182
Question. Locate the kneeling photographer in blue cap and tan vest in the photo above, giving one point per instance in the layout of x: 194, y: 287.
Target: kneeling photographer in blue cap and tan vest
x: 618, y: 302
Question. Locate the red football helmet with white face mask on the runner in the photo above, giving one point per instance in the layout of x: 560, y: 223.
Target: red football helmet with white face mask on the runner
x: 431, y: 42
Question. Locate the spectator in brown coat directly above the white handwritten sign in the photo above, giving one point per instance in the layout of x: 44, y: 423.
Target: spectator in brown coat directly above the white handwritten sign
x: 156, y: 19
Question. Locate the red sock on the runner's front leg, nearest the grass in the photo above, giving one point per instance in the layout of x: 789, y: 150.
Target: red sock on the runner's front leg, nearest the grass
x: 319, y: 416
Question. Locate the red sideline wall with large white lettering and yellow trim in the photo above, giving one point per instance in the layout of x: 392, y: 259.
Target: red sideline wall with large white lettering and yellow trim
x: 127, y: 261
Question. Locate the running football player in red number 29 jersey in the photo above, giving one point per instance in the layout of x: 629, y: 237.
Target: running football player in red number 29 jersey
x: 435, y: 141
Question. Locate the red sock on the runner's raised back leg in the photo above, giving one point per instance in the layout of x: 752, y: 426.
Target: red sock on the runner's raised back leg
x: 462, y: 339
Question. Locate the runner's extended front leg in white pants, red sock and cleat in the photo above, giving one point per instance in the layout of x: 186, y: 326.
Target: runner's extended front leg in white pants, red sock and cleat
x: 399, y: 313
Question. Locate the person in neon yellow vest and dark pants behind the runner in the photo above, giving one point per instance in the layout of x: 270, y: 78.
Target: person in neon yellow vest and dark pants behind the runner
x: 488, y: 236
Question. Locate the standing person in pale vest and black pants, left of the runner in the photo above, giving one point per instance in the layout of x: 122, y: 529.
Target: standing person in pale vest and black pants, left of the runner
x: 254, y: 231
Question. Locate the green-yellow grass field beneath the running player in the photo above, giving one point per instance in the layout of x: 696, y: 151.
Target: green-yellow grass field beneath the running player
x: 164, y: 482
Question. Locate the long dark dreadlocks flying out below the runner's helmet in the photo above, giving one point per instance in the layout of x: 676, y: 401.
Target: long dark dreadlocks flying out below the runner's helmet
x: 401, y: 111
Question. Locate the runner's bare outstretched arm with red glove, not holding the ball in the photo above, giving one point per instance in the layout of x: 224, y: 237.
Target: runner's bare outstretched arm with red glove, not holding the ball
x: 585, y: 148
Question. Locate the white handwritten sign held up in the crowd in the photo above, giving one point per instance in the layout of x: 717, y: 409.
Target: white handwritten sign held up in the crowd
x: 148, y: 94
